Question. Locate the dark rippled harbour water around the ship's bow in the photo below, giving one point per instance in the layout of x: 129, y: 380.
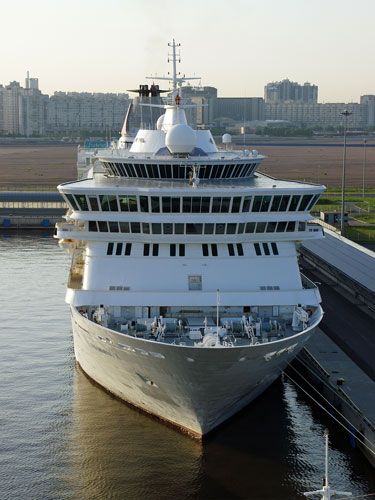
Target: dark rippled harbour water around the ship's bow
x: 64, y: 438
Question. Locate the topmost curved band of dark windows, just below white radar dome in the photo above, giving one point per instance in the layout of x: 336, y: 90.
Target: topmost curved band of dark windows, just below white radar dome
x: 176, y: 171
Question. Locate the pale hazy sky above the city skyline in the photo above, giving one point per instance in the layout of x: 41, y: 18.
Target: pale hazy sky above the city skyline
x: 235, y: 45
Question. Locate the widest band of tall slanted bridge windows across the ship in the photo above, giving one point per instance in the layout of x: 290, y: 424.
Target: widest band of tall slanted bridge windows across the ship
x: 192, y: 204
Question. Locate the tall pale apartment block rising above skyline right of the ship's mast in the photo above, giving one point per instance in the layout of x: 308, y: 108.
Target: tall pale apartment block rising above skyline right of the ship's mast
x: 285, y: 91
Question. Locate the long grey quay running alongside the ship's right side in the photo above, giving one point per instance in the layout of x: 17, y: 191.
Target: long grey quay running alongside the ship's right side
x: 340, y: 357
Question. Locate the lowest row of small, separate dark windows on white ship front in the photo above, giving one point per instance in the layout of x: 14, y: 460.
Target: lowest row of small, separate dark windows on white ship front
x: 208, y: 250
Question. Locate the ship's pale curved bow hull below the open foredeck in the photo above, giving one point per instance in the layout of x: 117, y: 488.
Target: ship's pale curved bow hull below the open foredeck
x: 195, y: 389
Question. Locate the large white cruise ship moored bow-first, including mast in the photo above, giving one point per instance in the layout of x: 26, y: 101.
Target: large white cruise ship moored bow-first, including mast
x: 185, y: 292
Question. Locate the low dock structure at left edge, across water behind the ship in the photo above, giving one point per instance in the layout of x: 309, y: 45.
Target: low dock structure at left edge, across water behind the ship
x: 31, y: 209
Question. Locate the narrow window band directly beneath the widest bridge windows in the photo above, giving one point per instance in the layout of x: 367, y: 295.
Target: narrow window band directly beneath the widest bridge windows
x: 179, y: 228
